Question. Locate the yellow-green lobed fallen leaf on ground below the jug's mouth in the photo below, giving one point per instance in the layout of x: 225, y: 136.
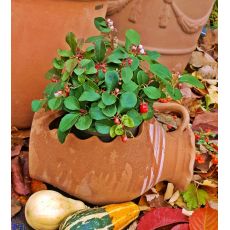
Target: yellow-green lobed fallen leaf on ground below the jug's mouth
x: 194, y: 197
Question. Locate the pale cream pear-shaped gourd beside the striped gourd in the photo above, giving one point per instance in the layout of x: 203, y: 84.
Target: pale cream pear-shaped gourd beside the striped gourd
x: 46, y: 209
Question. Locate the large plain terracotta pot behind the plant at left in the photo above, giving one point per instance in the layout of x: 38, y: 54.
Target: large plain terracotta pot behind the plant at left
x: 38, y: 30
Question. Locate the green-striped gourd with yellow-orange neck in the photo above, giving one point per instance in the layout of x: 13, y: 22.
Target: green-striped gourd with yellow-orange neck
x: 110, y: 217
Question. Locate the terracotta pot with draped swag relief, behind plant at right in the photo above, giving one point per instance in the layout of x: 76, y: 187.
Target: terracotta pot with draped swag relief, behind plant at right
x: 171, y: 27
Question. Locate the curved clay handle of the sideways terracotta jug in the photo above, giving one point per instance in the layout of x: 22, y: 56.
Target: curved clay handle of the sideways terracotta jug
x: 174, y: 107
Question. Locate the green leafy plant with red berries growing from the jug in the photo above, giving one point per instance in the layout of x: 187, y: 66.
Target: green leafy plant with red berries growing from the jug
x: 107, y: 87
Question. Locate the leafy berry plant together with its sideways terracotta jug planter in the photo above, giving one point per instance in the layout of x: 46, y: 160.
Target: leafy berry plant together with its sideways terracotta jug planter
x: 109, y: 91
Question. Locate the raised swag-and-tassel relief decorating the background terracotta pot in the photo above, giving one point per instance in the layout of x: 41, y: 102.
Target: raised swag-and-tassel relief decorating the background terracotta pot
x: 187, y: 24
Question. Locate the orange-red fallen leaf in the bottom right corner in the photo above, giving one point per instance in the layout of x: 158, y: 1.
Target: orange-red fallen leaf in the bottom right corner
x: 204, y: 219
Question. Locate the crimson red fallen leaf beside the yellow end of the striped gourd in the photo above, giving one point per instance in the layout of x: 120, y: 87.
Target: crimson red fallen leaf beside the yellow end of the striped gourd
x: 161, y: 217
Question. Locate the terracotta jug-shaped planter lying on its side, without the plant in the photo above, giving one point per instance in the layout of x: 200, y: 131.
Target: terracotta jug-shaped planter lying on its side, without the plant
x: 102, y: 173
